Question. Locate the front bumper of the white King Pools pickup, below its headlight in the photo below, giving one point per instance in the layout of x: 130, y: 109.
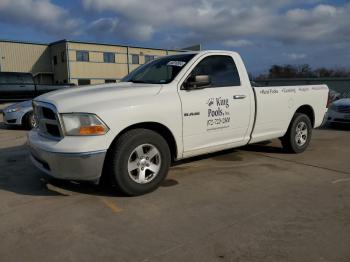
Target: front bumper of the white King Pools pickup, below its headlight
x: 85, y: 166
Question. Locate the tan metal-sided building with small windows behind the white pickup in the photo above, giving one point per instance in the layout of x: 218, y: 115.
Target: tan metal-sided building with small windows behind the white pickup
x: 74, y: 62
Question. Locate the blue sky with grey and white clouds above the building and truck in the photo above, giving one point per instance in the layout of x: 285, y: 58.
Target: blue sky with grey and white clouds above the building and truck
x: 264, y: 32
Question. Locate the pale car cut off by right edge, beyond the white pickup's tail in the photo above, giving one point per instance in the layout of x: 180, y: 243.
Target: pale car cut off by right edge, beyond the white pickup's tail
x: 339, y: 111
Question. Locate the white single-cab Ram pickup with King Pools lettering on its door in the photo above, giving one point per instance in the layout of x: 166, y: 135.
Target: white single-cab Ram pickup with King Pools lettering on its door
x: 172, y: 108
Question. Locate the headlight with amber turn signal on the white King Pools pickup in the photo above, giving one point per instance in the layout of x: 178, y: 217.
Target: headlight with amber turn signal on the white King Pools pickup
x: 82, y: 124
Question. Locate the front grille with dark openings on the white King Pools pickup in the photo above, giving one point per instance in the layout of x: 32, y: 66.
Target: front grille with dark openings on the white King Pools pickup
x: 48, y: 120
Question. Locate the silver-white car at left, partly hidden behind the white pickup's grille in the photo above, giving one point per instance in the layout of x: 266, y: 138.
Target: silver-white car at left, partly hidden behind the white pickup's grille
x: 20, y: 114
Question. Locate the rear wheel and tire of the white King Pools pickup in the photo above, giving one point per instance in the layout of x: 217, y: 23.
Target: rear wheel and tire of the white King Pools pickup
x: 298, y: 136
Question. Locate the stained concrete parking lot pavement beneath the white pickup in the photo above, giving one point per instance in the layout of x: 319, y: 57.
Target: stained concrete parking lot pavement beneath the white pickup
x: 251, y: 204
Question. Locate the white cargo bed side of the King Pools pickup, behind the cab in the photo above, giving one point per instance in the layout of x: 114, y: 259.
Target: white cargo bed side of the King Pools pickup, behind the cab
x: 276, y: 105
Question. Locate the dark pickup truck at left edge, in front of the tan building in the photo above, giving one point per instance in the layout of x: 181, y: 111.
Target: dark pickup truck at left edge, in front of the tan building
x: 21, y: 86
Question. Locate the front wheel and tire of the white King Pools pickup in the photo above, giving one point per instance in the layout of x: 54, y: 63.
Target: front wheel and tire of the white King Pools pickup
x: 139, y: 161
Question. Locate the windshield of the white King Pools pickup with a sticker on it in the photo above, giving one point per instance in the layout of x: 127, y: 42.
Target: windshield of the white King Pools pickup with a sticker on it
x: 159, y: 71
